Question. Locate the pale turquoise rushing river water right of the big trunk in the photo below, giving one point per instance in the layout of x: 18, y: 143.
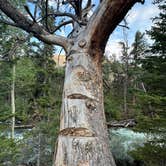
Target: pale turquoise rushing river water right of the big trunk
x: 124, y: 140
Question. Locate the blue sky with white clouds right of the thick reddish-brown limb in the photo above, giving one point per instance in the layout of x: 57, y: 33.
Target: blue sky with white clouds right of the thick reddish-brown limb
x: 138, y: 18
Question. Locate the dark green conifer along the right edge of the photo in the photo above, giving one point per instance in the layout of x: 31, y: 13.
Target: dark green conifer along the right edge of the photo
x: 153, y: 115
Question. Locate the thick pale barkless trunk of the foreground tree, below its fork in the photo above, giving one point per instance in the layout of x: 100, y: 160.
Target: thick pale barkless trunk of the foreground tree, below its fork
x: 83, y: 138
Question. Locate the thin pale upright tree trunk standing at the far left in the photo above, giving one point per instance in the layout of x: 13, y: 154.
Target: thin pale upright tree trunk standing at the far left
x: 13, y: 97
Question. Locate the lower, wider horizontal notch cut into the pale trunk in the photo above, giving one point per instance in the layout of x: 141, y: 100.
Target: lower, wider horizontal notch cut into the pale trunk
x: 77, y: 132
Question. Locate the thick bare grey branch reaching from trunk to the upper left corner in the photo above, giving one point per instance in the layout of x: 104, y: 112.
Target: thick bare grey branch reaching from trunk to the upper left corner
x: 29, y: 26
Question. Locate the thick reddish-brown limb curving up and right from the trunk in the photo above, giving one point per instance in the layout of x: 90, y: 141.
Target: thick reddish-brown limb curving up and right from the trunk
x: 103, y: 22
